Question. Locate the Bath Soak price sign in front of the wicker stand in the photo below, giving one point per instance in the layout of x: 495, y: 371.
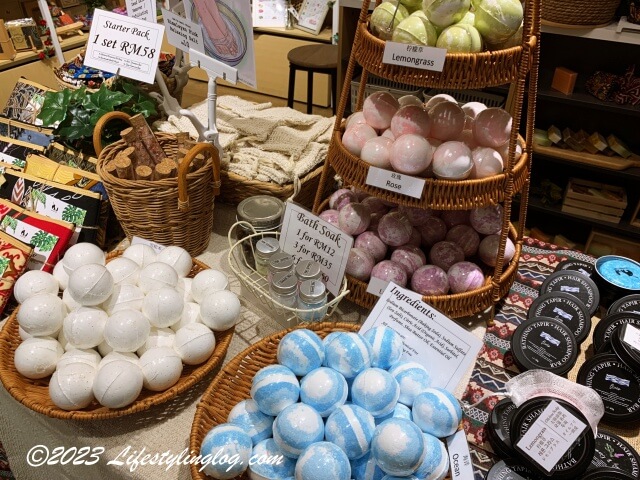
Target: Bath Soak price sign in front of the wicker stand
x: 308, y: 237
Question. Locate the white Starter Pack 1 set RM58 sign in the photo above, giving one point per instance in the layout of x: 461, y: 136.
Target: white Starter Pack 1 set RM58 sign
x: 124, y: 45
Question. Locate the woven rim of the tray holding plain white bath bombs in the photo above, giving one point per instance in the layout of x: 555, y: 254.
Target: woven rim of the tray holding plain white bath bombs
x: 187, y: 380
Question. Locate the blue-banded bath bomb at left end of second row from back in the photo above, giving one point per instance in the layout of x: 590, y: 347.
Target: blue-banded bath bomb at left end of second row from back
x: 273, y: 388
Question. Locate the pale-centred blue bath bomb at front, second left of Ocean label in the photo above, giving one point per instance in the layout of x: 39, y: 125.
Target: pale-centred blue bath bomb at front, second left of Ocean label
x: 398, y: 447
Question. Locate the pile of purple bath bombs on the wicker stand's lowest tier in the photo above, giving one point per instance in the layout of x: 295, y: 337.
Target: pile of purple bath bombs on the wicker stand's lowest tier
x: 431, y: 252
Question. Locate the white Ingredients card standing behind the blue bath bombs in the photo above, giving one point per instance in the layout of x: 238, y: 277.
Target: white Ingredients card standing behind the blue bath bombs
x: 430, y: 338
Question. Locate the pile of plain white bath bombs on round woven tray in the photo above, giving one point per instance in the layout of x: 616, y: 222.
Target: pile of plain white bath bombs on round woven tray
x: 120, y: 326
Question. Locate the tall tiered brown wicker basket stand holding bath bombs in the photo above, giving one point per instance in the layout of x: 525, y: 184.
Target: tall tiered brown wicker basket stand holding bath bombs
x: 517, y: 66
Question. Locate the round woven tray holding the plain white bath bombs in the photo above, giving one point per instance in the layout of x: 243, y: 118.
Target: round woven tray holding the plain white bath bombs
x: 34, y: 394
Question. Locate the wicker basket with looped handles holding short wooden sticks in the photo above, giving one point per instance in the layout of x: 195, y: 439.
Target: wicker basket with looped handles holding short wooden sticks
x: 173, y: 211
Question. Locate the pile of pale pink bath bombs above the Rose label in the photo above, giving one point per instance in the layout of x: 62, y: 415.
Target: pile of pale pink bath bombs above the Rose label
x: 438, y: 138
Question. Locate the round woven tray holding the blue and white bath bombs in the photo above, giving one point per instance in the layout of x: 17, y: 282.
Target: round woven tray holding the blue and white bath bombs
x: 233, y: 384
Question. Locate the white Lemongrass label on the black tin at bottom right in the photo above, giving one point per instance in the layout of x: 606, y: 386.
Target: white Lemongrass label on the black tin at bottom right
x: 551, y: 435
